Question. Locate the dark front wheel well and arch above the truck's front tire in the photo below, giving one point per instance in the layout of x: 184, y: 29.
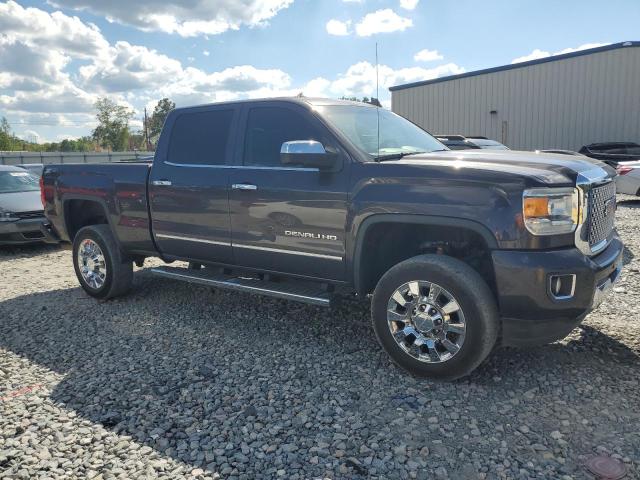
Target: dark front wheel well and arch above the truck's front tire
x: 387, y: 239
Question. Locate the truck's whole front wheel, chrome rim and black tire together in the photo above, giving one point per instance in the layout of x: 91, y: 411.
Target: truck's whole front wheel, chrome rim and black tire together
x: 435, y: 316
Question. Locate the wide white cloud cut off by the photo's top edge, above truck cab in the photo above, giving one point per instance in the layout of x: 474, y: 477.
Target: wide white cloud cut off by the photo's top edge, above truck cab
x: 188, y: 19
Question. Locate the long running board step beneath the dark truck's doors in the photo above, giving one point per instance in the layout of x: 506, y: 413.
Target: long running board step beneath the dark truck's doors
x: 297, y: 291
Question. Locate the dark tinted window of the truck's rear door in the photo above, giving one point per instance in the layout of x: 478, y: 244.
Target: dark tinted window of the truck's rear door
x: 201, y: 138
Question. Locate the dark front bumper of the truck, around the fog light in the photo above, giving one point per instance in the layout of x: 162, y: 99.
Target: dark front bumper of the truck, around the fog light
x: 530, y: 314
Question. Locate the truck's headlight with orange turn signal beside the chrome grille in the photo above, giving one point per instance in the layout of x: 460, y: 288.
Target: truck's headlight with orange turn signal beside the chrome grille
x: 551, y: 211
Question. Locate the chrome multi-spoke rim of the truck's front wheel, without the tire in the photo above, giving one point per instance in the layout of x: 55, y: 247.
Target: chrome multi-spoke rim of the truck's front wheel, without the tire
x: 426, y: 321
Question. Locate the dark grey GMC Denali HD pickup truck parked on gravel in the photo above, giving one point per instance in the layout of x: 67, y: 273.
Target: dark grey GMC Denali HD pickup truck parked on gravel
x: 308, y: 199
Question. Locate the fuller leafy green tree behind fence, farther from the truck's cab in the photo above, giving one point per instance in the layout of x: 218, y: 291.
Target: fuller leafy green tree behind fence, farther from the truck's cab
x: 113, y: 124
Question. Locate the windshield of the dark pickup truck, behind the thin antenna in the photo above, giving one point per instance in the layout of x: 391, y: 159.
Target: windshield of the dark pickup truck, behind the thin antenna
x: 396, y: 136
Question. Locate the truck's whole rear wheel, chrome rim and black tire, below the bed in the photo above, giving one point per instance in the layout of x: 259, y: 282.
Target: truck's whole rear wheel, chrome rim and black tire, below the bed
x: 101, y: 268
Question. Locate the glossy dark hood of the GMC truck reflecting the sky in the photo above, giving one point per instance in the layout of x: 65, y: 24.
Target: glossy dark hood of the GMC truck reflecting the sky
x: 545, y: 167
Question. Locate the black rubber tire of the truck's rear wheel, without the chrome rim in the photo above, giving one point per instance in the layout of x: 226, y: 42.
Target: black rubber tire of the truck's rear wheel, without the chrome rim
x: 119, y: 268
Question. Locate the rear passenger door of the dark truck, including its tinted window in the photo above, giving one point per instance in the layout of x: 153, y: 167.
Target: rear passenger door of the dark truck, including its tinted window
x: 188, y: 186
